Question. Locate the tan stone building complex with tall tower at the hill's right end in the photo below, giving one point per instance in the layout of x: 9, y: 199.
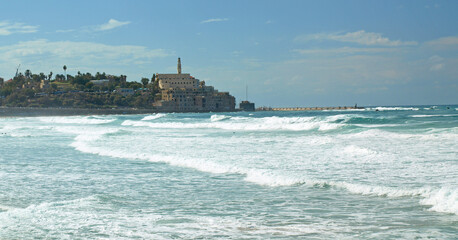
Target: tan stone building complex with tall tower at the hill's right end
x: 181, y: 92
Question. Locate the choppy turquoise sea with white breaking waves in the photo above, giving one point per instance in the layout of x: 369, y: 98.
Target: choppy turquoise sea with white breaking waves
x: 373, y: 173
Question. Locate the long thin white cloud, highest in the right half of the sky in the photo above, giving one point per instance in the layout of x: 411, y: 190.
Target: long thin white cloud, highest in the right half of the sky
x: 360, y: 37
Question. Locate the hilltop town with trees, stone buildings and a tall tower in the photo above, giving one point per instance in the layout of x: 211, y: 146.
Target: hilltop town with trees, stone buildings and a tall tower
x: 171, y: 92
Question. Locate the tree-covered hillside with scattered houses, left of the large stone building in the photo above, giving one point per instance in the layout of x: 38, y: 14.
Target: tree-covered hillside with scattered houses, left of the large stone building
x: 79, y: 91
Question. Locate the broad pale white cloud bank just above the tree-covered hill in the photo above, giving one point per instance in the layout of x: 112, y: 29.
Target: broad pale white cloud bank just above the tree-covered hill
x: 44, y: 55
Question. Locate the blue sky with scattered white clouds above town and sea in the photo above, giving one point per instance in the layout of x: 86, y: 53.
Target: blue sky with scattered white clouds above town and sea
x: 289, y: 53
